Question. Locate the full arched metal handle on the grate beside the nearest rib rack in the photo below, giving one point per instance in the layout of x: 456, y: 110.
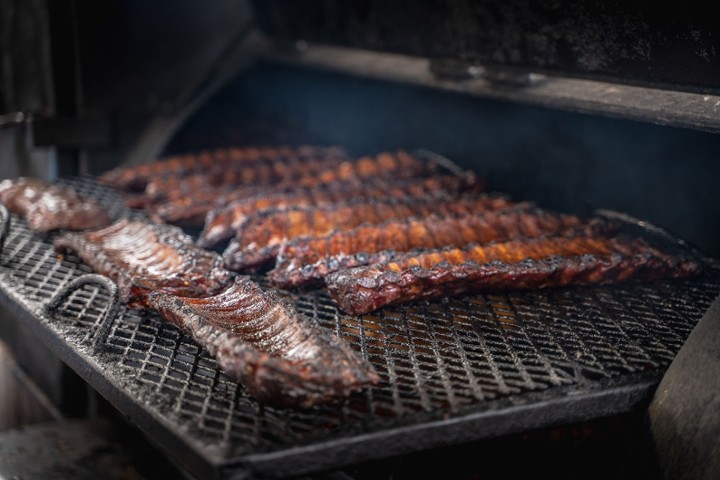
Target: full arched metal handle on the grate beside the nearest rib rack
x: 105, y: 323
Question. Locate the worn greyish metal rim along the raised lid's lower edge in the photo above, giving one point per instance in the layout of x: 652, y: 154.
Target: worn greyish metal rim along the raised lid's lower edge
x: 649, y: 104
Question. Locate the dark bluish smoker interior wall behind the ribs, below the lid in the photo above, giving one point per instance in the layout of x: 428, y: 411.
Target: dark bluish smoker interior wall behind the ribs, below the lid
x: 569, y: 161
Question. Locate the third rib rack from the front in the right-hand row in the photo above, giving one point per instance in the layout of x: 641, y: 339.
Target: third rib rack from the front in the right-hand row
x: 258, y: 241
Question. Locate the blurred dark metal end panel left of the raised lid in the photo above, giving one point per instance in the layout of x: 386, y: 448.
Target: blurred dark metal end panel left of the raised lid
x: 167, y: 57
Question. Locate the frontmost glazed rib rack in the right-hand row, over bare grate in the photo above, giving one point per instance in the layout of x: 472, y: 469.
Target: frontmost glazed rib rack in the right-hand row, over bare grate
x: 518, y: 264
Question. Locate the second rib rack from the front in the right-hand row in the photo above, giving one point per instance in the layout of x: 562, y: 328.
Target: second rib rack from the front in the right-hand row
x: 306, y: 261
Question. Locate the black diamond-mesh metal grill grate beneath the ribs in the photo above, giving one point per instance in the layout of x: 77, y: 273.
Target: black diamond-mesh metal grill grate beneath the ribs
x: 444, y: 364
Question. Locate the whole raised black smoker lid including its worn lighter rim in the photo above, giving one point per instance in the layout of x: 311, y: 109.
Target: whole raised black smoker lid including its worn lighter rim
x: 653, y: 63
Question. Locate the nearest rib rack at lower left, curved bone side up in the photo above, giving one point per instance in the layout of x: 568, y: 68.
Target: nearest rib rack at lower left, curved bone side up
x: 276, y: 353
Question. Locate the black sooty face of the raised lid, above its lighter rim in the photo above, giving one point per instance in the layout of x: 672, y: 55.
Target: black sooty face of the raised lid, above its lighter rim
x: 649, y: 44
